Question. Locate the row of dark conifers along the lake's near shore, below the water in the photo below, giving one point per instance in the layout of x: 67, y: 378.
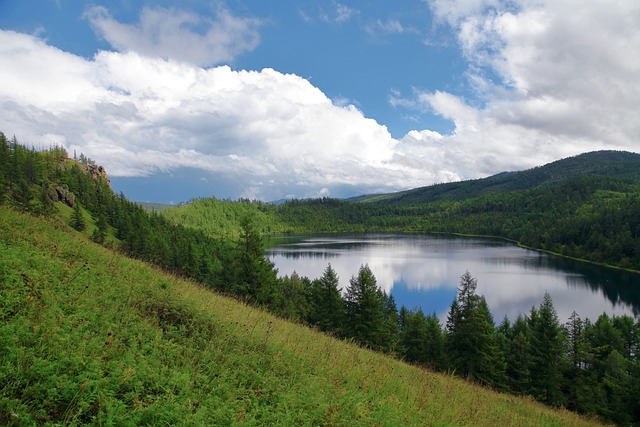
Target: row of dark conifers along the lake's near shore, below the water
x: 592, y: 368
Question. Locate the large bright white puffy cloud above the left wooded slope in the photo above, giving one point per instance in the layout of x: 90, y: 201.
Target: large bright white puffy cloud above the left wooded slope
x: 139, y: 115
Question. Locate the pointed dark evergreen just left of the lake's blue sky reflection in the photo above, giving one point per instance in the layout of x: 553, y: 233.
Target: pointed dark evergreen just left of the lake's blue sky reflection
x: 365, y: 309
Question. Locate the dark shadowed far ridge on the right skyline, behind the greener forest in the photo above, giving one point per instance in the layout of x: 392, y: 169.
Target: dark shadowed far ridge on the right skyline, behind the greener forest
x: 619, y: 165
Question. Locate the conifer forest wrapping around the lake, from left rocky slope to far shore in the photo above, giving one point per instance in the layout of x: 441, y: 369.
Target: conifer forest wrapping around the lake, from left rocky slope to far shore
x: 589, y: 366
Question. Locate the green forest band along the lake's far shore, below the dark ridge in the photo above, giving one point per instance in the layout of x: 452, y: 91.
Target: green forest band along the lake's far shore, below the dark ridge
x: 591, y: 218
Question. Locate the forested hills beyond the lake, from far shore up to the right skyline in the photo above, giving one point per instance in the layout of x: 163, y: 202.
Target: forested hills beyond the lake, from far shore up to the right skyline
x: 586, y: 207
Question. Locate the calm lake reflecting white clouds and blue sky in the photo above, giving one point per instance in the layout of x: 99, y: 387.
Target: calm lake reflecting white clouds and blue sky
x: 424, y: 271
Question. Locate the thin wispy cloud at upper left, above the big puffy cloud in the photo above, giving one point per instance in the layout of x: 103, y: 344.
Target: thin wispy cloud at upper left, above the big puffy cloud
x: 179, y: 34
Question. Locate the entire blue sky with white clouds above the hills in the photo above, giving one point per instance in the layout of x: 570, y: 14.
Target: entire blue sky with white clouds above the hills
x: 318, y: 98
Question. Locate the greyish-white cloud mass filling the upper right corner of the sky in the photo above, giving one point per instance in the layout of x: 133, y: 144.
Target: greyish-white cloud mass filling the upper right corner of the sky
x: 549, y: 79
